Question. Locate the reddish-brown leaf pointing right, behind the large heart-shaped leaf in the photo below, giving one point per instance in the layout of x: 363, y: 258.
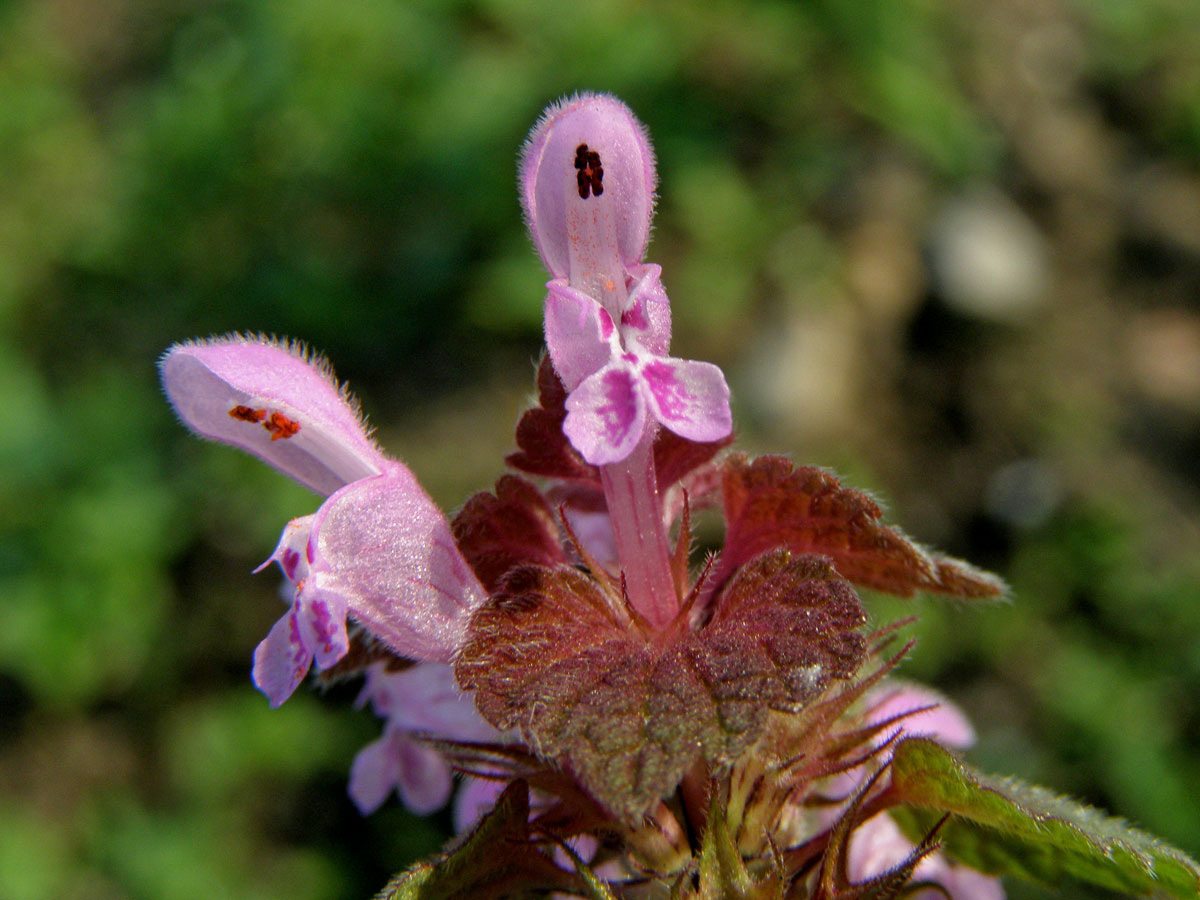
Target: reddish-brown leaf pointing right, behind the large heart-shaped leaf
x: 772, y: 503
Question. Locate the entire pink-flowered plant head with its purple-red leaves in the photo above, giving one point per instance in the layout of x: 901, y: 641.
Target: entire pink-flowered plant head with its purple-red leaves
x: 719, y: 729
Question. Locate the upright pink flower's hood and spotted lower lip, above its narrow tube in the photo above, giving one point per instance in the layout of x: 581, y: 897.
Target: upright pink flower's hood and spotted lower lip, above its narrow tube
x: 587, y: 184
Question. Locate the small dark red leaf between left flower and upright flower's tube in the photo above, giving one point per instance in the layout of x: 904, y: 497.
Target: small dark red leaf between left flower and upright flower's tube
x: 515, y: 526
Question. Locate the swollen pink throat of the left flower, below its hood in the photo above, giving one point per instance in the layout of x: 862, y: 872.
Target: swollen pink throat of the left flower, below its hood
x: 386, y: 550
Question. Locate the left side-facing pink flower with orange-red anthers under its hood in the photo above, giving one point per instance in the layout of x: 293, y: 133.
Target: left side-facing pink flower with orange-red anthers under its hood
x: 379, y: 549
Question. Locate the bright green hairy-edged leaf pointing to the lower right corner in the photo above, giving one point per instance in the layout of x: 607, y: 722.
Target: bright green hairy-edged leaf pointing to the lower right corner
x: 1006, y: 827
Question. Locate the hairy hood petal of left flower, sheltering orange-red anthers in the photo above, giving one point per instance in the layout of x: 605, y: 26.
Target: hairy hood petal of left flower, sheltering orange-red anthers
x: 271, y: 400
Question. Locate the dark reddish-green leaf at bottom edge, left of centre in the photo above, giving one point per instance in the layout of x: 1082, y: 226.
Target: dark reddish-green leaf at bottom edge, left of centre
x: 497, y: 861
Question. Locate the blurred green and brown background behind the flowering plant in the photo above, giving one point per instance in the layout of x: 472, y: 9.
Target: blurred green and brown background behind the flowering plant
x: 951, y: 250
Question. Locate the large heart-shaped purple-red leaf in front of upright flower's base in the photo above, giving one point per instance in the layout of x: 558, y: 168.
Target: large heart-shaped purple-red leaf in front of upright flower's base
x: 554, y: 656
